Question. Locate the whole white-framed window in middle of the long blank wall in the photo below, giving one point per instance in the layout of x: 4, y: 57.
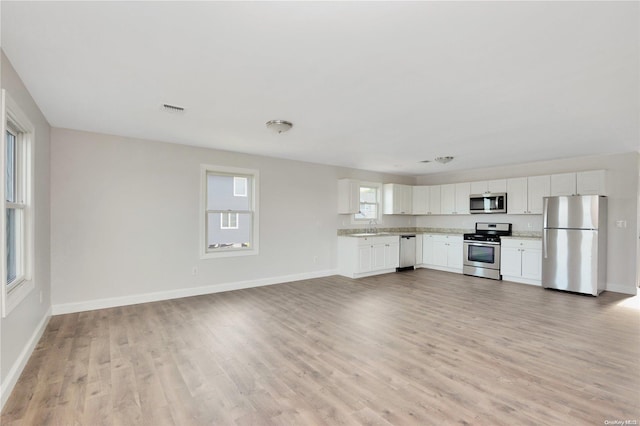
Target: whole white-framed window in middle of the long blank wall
x: 230, y: 219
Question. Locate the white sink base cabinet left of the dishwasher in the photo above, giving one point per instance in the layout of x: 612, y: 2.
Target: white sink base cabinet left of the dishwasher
x: 364, y: 256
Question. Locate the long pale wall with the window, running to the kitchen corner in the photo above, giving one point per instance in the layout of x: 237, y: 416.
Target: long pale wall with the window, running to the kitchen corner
x: 125, y: 220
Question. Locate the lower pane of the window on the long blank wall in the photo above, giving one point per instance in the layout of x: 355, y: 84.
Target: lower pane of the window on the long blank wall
x: 219, y: 238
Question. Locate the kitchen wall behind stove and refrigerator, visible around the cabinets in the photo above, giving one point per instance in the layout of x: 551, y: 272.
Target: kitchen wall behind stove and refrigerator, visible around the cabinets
x: 622, y: 190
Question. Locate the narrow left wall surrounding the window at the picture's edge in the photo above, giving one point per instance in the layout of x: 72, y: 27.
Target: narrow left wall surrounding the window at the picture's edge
x: 20, y: 330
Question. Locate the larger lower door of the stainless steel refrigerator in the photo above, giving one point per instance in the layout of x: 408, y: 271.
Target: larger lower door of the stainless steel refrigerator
x: 570, y: 261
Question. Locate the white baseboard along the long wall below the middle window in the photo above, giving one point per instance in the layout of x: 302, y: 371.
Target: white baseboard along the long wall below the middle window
x: 112, y: 302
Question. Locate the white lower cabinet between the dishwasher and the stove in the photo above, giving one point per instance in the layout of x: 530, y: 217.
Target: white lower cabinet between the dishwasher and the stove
x: 442, y: 252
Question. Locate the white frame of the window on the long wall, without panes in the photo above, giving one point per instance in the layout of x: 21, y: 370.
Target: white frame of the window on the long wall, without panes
x: 205, y: 252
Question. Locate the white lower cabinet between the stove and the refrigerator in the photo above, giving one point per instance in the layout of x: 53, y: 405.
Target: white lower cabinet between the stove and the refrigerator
x: 521, y: 260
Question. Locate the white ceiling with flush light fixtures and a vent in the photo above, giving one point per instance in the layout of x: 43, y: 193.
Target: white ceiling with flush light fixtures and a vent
x: 371, y: 85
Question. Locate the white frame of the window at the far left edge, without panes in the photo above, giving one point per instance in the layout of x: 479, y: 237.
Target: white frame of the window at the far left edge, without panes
x: 13, y: 118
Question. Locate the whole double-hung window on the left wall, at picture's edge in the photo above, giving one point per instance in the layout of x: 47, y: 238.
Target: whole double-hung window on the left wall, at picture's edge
x: 16, y: 220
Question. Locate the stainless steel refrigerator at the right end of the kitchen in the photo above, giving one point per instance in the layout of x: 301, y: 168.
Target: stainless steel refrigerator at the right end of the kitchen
x: 574, y: 243
